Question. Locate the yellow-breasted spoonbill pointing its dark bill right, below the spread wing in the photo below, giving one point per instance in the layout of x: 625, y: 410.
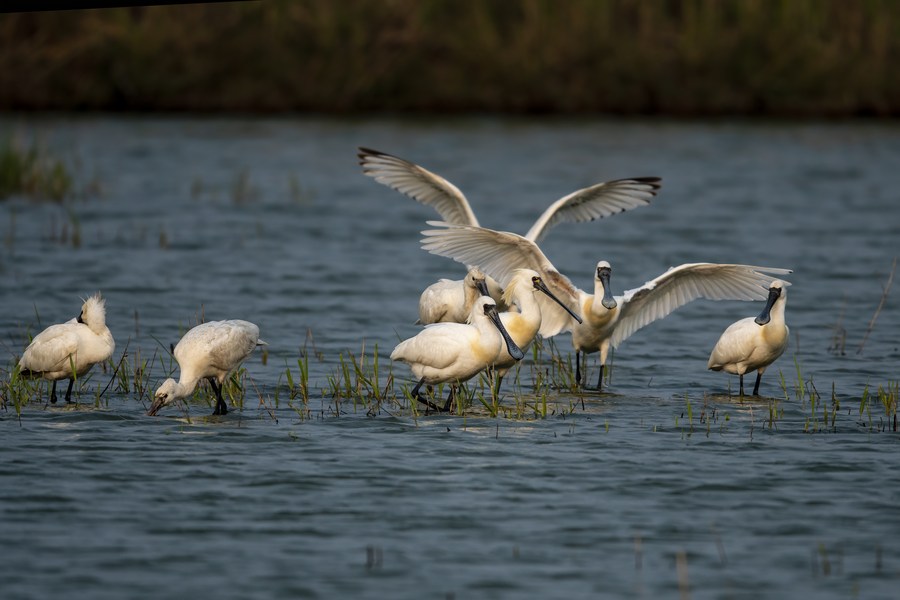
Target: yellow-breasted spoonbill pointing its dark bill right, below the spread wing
x: 524, y: 322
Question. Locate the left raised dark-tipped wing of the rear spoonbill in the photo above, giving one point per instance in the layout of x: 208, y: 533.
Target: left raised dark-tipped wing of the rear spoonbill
x: 418, y: 183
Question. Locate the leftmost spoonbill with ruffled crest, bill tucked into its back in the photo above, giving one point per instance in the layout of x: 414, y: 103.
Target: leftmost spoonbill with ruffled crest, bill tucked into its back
x: 69, y: 350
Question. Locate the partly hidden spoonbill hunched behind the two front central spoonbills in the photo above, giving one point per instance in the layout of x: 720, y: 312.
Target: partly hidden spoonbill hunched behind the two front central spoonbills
x: 449, y: 302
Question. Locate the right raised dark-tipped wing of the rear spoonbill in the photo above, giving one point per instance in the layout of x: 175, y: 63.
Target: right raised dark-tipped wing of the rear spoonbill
x: 596, y: 202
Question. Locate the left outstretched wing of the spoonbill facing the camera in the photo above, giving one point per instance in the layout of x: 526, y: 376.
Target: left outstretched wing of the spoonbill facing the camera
x: 499, y: 254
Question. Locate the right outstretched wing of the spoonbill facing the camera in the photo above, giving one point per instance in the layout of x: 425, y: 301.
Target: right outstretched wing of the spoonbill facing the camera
x: 680, y: 285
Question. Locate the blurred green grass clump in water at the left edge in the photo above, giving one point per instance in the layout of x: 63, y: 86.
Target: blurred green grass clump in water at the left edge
x: 30, y: 172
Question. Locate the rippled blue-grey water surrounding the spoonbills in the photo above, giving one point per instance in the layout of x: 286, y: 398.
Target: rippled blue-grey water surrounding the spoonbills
x: 663, y: 485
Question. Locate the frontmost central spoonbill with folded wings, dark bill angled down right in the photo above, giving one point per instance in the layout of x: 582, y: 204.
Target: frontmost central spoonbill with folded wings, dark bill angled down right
x: 456, y: 352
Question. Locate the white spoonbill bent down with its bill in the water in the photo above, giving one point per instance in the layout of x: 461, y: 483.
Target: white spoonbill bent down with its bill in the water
x: 210, y: 350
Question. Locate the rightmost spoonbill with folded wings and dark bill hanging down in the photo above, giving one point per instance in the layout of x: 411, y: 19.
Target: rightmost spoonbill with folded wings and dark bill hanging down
x: 754, y: 343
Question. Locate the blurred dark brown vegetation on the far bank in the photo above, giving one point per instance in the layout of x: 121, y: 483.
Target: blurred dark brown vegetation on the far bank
x: 678, y: 57
